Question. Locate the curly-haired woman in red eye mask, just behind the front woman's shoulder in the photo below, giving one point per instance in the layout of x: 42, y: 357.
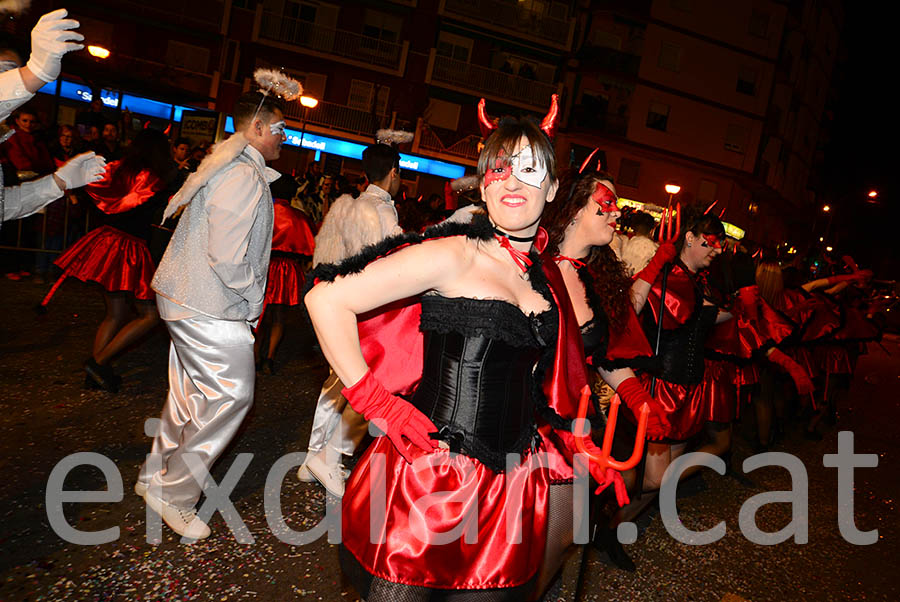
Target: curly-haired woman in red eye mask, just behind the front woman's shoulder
x: 580, y: 225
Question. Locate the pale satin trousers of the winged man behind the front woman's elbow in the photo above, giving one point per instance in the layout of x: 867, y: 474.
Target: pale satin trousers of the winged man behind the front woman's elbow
x: 335, y: 422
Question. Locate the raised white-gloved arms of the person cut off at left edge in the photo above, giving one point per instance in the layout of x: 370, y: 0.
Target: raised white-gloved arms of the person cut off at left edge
x: 52, y: 37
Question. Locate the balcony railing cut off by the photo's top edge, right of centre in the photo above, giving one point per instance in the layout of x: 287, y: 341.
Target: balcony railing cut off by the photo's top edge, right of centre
x: 506, y: 15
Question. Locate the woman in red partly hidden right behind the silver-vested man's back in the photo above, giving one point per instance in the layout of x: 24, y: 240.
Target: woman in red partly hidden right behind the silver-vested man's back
x: 292, y: 241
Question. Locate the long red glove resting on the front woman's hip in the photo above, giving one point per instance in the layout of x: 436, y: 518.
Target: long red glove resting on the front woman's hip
x: 395, y: 416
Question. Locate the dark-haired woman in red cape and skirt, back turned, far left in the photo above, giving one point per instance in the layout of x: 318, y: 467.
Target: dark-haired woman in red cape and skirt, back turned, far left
x: 116, y: 255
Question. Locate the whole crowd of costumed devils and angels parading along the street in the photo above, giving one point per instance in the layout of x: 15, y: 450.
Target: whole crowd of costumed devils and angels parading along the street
x: 467, y: 337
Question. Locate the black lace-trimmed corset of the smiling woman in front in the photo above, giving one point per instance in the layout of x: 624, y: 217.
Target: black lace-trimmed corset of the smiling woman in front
x: 477, y: 376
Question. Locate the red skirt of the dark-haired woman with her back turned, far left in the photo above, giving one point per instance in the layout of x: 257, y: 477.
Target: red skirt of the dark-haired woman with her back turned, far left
x: 115, y: 260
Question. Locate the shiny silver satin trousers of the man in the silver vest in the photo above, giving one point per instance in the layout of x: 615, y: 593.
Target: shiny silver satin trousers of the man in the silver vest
x: 211, y: 381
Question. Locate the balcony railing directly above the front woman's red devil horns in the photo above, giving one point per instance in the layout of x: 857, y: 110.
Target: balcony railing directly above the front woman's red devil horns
x: 508, y: 88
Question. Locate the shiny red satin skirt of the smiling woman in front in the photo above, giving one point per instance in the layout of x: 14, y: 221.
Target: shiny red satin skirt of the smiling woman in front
x: 448, y: 522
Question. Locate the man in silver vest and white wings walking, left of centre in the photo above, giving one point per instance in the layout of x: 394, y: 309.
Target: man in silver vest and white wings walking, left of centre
x: 210, y: 286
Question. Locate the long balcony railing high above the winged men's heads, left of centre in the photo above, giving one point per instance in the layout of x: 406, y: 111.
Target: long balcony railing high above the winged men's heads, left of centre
x: 336, y: 42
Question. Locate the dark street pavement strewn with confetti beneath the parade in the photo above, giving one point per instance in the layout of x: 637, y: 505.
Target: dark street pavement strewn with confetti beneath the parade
x: 46, y: 414
